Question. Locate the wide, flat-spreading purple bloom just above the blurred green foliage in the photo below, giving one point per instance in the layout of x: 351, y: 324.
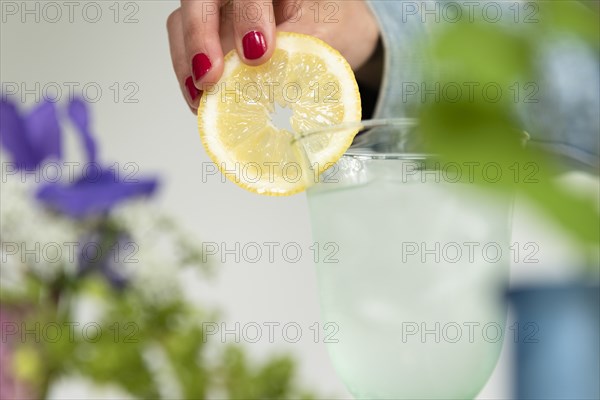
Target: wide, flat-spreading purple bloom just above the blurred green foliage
x: 91, y: 195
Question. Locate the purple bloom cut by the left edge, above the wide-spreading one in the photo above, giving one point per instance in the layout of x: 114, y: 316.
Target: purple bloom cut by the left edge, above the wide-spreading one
x: 30, y: 139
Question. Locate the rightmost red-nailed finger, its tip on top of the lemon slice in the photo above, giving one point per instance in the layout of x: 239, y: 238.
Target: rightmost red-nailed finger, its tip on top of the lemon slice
x: 254, y: 29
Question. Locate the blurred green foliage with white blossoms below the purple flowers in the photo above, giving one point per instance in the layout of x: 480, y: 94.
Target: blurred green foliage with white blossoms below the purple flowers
x: 132, y: 326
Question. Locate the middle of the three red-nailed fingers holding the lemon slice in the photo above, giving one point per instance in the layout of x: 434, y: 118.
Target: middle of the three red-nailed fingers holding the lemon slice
x: 200, y: 21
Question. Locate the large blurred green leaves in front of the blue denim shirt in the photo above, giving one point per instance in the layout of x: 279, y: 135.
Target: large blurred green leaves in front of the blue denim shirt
x: 478, y: 130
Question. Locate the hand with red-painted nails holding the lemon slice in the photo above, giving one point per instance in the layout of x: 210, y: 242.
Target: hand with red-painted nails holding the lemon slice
x: 201, y: 31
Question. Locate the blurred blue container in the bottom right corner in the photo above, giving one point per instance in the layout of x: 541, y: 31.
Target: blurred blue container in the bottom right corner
x: 559, y: 355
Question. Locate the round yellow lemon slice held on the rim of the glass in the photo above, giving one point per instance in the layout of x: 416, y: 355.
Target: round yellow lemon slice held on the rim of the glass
x: 308, y: 85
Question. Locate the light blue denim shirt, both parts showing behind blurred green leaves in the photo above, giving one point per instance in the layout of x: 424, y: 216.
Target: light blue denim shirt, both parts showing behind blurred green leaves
x: 563, y: 116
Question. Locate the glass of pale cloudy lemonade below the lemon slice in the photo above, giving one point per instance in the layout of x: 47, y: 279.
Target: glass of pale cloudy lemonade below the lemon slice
x: 415, y: 269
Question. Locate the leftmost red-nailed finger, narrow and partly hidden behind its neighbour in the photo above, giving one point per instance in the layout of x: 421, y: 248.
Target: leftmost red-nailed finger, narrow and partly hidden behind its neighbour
x: 180, y: 64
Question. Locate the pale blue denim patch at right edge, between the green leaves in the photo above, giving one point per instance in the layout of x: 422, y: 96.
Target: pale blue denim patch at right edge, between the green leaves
x: 564, y: 116
